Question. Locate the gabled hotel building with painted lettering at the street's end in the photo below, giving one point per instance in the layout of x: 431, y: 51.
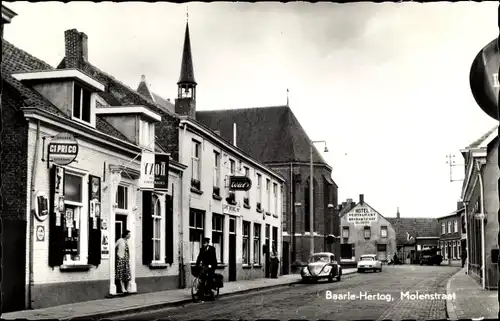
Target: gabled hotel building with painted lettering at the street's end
x: 366, y: 231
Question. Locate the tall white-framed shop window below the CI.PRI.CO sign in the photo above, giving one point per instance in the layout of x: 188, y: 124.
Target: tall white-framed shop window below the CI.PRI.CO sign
x: 76, y: 227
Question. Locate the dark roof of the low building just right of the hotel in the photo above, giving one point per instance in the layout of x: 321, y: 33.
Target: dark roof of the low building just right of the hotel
x: 415, y: 227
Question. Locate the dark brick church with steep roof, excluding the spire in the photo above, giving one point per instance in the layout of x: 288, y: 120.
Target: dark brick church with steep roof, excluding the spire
x: 275, y: 136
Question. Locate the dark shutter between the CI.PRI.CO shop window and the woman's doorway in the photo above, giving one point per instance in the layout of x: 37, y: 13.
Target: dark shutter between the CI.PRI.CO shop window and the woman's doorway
x: 94, y: 220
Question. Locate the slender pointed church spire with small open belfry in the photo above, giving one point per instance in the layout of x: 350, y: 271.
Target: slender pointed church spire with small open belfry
x: 185, y: 104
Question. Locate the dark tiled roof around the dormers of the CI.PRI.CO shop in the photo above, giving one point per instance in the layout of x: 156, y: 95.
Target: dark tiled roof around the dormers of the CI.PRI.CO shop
x: 18, y: 60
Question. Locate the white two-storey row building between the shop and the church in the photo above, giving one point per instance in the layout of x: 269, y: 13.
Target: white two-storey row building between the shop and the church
x: 239, y: 223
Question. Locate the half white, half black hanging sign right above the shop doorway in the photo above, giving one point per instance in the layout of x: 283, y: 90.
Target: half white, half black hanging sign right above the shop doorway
x: 154, y: 171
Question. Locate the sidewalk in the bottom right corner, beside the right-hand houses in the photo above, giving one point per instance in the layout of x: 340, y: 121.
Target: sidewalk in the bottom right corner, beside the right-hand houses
x: 471, y: 300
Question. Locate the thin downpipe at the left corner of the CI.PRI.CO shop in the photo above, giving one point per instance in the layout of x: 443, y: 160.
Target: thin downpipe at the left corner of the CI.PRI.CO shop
x: 32, y: 215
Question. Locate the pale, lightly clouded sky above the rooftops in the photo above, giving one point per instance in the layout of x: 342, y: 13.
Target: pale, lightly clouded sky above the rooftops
x: 386, y: 85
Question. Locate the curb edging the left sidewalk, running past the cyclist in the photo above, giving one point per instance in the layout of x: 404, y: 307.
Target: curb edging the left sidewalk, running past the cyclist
x: 132, y: 310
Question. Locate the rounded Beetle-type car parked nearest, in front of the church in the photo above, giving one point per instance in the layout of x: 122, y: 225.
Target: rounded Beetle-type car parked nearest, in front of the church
x: 321, y: 266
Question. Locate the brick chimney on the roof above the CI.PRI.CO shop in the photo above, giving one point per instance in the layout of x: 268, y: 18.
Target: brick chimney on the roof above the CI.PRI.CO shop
x: 76, y: 48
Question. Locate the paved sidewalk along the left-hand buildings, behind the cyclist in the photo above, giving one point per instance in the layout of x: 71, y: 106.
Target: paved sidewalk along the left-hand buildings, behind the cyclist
x: 107, y: 308
